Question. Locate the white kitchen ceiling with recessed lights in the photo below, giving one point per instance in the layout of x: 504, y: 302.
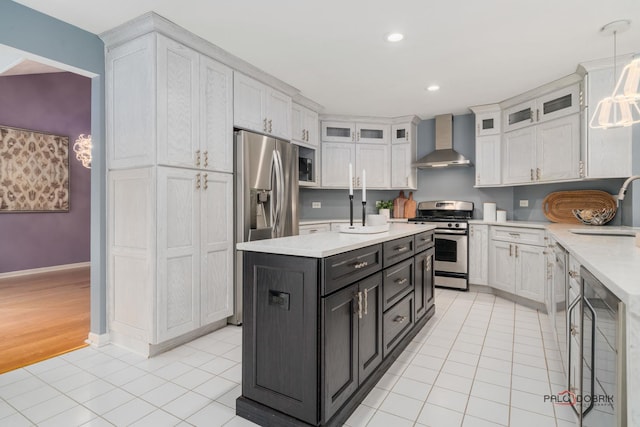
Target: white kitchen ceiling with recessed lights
x: 335, y: 53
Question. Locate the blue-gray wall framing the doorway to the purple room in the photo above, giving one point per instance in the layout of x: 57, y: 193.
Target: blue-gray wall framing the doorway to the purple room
x: 31, y: 31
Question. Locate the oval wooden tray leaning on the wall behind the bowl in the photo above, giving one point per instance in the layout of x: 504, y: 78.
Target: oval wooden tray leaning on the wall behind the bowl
x: 558, y: 206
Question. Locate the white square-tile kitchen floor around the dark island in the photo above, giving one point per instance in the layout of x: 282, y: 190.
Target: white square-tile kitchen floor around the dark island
x: 480, y: 361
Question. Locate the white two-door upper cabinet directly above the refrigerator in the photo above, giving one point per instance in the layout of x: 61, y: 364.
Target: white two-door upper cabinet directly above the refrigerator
x: 260, y: 108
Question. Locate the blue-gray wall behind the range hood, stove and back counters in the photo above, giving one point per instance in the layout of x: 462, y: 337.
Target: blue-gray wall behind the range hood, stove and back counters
x: 457, y: 183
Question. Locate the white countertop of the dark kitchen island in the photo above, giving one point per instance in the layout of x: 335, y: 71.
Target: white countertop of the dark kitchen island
x: 321, y: 245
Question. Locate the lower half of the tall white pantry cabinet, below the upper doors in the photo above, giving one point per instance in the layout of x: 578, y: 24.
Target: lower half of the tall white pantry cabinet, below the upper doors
x: 185, y: 266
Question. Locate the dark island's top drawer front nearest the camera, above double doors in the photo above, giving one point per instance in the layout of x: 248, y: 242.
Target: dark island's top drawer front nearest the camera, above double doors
x: 343, y: 269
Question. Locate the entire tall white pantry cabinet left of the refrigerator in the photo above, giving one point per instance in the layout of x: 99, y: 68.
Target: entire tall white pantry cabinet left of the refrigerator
x: 170, y: 192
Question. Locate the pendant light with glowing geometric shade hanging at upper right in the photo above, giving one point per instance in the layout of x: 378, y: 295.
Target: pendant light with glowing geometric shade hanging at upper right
x: 616, y: 110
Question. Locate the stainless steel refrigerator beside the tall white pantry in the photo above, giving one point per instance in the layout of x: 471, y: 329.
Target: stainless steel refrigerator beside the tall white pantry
x: 266, y: 195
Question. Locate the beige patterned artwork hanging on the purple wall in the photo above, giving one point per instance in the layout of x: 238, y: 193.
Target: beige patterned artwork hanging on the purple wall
x: 34, y: 171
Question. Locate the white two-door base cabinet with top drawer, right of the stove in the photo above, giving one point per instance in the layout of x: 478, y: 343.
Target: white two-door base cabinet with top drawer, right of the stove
x: 516, y: 267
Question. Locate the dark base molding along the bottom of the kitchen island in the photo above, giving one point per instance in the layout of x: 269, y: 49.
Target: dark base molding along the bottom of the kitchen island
x: 266, y: 416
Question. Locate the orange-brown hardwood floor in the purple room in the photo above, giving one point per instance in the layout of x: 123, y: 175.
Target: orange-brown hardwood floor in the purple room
x: 42, y: 316
